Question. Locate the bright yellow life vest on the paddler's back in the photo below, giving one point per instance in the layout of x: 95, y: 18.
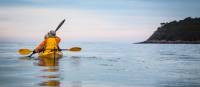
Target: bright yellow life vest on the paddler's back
x: 51, y: 45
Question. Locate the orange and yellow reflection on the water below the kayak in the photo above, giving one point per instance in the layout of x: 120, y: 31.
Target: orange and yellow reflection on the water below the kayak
x: 50, y: 65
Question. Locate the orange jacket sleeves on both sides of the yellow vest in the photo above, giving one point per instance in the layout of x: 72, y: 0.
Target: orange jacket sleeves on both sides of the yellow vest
x: 41, y: 46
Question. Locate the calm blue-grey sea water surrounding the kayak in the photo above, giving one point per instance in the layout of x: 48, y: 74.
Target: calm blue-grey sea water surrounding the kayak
x: 104, y: 65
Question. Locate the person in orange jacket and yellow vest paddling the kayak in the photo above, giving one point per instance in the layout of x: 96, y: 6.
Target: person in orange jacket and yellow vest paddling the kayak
x: 50, y: 43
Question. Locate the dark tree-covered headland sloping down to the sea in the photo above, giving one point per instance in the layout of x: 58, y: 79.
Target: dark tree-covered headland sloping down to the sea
x: 185, y: 31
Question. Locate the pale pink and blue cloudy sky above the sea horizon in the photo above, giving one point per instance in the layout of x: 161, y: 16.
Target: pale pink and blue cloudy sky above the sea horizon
x: 90, y: 20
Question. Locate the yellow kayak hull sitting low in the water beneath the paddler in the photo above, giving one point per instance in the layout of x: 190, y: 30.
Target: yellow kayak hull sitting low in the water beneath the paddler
x: 51, y: 55
